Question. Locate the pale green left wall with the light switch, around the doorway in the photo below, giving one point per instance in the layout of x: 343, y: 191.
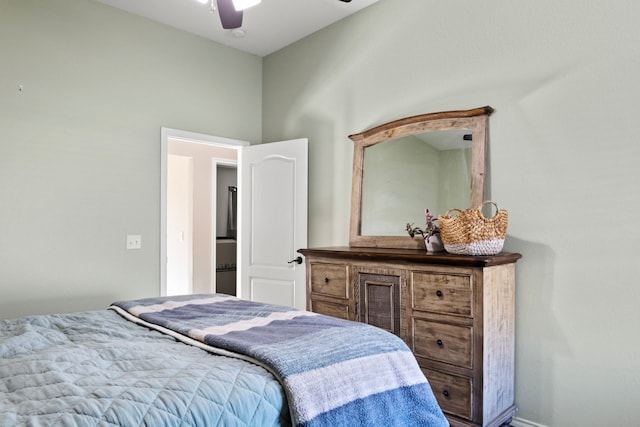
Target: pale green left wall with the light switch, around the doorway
x: 80, y: 144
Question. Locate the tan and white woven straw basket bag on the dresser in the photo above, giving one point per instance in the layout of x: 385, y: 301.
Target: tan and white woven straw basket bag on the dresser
x: 471, y: 233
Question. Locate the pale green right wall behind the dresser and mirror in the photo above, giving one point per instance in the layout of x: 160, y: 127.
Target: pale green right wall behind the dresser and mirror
x: 563, y: 78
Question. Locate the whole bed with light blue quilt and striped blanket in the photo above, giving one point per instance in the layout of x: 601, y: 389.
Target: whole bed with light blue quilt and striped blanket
x: 207, y: 360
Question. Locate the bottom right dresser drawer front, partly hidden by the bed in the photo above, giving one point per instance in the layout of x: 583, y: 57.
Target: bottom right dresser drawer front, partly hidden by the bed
x: 452, y: 392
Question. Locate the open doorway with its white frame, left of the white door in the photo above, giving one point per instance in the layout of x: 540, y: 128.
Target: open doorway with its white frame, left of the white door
x: 189, y: 244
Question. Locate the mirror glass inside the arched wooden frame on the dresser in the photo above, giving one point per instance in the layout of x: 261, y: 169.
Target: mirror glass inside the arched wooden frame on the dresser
x: 403, y: 176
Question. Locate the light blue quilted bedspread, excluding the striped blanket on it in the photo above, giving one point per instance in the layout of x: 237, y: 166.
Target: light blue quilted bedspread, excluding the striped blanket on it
x: 99, y: 369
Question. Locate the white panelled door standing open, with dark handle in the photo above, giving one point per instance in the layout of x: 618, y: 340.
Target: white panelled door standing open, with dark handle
x: 272, y: 222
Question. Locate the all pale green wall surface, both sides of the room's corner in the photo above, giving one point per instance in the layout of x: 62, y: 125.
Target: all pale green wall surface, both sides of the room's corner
x: 80, y: 156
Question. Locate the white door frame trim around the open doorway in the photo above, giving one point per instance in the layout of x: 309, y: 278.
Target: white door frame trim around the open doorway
x: 193, y: 137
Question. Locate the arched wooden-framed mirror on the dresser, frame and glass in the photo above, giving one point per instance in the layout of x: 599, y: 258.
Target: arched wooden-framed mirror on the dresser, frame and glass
x: 431, y: 161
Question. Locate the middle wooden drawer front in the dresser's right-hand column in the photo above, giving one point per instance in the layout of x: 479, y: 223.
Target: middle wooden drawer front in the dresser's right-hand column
x: 442, y: 342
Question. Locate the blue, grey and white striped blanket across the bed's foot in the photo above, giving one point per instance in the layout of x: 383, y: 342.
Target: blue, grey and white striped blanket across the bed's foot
x: 335, y: 372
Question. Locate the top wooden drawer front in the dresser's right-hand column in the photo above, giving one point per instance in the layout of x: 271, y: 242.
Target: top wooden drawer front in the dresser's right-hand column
x: 442, y: 293
